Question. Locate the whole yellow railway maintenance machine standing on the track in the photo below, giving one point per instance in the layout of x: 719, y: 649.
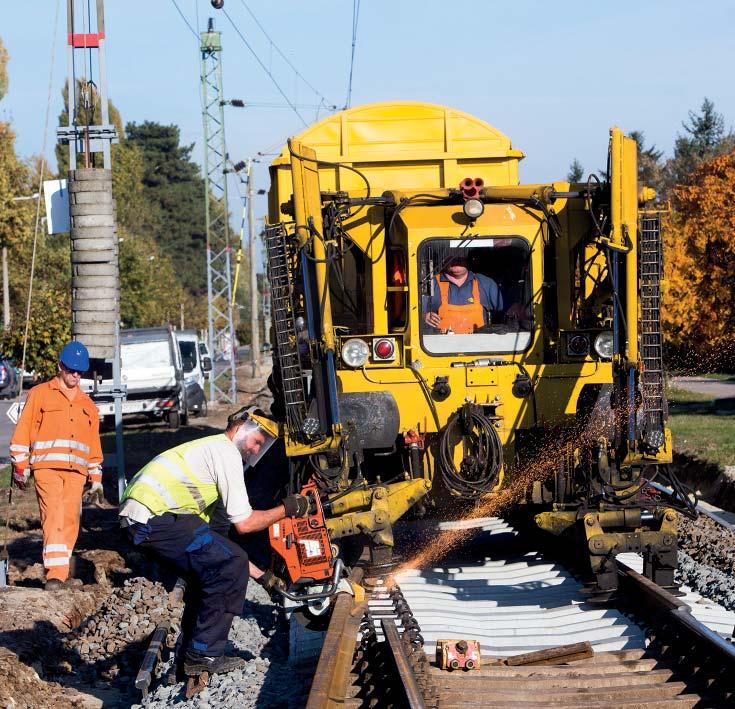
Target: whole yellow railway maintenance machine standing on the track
x: 444, y: 335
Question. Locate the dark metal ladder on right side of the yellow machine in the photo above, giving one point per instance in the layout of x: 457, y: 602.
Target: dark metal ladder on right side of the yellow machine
x: 650, y: 272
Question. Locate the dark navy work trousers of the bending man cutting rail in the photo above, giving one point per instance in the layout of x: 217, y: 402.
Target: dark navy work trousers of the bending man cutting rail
x: 215, y: 569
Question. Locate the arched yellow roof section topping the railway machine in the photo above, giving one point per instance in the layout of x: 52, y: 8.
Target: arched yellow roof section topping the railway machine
x: 404, y: 145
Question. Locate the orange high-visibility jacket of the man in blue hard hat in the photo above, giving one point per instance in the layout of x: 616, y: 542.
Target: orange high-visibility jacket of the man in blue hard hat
x: 55, y: 433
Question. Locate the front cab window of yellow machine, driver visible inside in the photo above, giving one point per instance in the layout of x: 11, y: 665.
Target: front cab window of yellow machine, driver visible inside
x: 476, y: 295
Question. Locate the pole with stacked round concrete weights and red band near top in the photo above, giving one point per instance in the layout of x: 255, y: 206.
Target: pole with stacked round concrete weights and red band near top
x: 94, y: 242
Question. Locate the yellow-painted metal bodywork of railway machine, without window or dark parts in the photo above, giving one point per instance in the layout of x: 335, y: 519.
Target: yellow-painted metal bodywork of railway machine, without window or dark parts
x: 407, y: 148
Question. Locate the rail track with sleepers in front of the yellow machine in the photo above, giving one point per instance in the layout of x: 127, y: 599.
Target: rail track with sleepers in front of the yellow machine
x: 532, y: 619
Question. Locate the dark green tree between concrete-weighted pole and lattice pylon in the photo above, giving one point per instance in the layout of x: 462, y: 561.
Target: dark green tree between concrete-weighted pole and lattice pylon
x: 174, y: 190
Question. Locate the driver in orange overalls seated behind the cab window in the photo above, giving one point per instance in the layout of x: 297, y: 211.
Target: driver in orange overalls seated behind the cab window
x: 462, y: 301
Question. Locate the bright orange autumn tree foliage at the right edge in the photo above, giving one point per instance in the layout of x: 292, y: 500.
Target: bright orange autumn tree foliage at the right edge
x: 698, y: 309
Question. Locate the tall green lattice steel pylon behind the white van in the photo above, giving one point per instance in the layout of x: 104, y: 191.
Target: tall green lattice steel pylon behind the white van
x: 221, y: 331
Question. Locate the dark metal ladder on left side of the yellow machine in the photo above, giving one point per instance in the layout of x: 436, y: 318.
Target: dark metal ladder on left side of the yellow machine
x: 287, y: 350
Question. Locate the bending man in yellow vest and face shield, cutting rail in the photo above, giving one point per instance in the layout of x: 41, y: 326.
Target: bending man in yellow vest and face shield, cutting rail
x: 167, y: 507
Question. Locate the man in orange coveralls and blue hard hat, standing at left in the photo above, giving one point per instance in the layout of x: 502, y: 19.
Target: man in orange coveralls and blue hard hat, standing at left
x: 57, y: 437
